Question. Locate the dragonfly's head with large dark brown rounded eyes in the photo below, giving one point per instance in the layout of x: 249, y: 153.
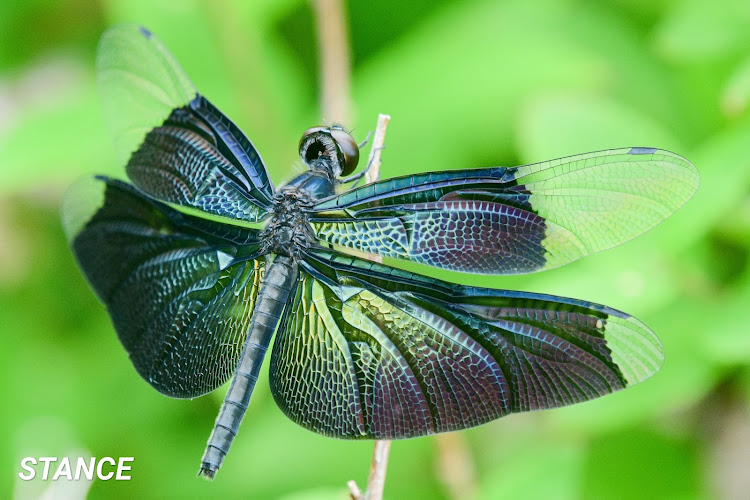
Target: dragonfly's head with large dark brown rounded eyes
x: 329, y: 148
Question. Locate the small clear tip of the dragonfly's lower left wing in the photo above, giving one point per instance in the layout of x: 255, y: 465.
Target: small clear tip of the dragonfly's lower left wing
x: 82, y: 200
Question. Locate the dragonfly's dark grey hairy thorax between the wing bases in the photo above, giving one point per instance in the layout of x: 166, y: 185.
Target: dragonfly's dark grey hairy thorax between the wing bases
x: 288, y: 231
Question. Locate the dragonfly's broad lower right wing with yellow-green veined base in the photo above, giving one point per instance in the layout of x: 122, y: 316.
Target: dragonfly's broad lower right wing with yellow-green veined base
x: 368, y: 351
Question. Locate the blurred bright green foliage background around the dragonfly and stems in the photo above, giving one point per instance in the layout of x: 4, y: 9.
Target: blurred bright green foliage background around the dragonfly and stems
x: 468, y: 83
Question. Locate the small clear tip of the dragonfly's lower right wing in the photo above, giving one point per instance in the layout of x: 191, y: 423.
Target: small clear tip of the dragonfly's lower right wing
x: 635, y: 349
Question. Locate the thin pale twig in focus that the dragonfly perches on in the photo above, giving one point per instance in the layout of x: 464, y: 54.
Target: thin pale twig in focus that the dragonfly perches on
x: 379, y: 464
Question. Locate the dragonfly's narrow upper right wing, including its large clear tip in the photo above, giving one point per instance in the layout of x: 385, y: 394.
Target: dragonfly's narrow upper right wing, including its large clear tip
x: 511, y: 220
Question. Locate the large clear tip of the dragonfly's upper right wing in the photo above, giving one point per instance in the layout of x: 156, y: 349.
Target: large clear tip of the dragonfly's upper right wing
x: 596, y: 201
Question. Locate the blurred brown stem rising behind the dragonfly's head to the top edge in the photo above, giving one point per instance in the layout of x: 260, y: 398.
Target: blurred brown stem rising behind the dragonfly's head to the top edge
x: 333, y: 44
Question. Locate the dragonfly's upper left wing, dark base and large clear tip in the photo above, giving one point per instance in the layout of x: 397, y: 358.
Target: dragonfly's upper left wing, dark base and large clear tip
x: 175, y: 144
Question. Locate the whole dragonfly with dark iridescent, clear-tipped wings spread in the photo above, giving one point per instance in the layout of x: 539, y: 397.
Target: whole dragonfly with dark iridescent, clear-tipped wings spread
x: 200, y: 259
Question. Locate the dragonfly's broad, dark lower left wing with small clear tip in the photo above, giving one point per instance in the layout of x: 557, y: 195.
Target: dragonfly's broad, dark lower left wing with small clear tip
x: 180, y: 289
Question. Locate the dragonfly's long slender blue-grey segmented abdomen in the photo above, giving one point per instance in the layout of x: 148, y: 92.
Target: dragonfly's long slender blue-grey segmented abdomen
x: 272, y: 296
